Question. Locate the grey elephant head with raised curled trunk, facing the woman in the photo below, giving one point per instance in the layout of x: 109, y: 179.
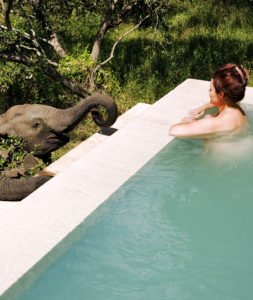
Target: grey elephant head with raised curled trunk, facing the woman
x: 44, y: 126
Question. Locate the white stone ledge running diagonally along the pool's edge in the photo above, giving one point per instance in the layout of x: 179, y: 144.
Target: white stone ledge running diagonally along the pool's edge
x: 86, y: 177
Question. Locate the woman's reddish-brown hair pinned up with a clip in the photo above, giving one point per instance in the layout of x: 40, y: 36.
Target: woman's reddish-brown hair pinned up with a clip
x: 231, y: 79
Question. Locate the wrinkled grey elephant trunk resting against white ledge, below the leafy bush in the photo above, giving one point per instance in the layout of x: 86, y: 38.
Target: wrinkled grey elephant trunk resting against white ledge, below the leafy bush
x: 13, y: 189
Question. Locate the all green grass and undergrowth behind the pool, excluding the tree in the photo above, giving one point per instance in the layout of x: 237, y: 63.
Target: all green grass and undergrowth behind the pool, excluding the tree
x: 189, y: 39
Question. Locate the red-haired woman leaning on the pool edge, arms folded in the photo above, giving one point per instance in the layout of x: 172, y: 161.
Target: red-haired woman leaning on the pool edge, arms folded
x: 227, y: 88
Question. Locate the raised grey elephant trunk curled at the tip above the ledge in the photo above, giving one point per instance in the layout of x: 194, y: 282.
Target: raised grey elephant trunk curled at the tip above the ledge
x: 63, y: 120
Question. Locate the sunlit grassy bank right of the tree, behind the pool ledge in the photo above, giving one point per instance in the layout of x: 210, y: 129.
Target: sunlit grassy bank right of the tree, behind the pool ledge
x: 195, y: 38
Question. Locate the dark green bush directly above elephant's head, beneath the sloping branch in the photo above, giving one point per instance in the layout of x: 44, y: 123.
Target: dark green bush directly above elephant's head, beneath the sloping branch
x: 20, y: 84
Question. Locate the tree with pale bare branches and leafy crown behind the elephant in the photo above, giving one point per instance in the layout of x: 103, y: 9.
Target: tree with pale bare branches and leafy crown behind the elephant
x: 29, y: 33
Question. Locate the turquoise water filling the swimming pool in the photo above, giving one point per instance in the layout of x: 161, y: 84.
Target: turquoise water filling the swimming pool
x: 181, y: 228
